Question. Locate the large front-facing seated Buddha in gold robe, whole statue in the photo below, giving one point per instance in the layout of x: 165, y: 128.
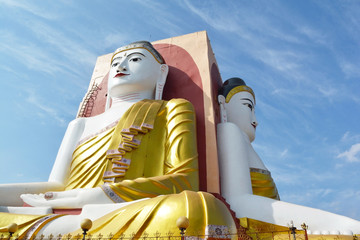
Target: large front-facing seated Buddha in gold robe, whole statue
x: 132, y: 169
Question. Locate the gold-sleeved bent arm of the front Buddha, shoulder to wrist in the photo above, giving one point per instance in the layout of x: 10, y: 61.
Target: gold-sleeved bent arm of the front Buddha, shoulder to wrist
x: 181, y: 163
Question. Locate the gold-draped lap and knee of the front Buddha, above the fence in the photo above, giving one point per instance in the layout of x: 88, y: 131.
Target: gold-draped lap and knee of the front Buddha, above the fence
x: 153, y: 215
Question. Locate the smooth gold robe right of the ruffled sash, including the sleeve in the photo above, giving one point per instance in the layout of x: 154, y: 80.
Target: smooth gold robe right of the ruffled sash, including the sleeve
x: 166, y: 160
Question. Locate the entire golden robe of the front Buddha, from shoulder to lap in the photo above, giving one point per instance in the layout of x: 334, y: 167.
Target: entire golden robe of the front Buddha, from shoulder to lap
x: 149, y: 153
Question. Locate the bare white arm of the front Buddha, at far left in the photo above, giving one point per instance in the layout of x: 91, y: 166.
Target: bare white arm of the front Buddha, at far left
x: 11, y: 192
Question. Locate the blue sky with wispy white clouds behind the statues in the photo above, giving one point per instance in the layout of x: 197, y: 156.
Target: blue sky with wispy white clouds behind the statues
x: 301, y: 58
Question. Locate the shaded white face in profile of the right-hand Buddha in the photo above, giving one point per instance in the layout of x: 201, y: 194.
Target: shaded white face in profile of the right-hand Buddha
x: 241, y: 111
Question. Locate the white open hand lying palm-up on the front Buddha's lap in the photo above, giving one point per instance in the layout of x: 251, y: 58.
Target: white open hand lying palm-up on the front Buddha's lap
x: 75, y: 198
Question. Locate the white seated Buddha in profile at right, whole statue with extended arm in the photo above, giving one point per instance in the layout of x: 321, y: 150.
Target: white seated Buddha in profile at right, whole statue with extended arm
x: 246, y: 183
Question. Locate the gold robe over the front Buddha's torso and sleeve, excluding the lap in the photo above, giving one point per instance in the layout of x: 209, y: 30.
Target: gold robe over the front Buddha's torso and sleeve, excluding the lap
x: 162, y: 158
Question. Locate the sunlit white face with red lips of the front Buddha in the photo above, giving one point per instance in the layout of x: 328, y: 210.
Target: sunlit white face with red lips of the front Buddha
x: 131, y: 71
